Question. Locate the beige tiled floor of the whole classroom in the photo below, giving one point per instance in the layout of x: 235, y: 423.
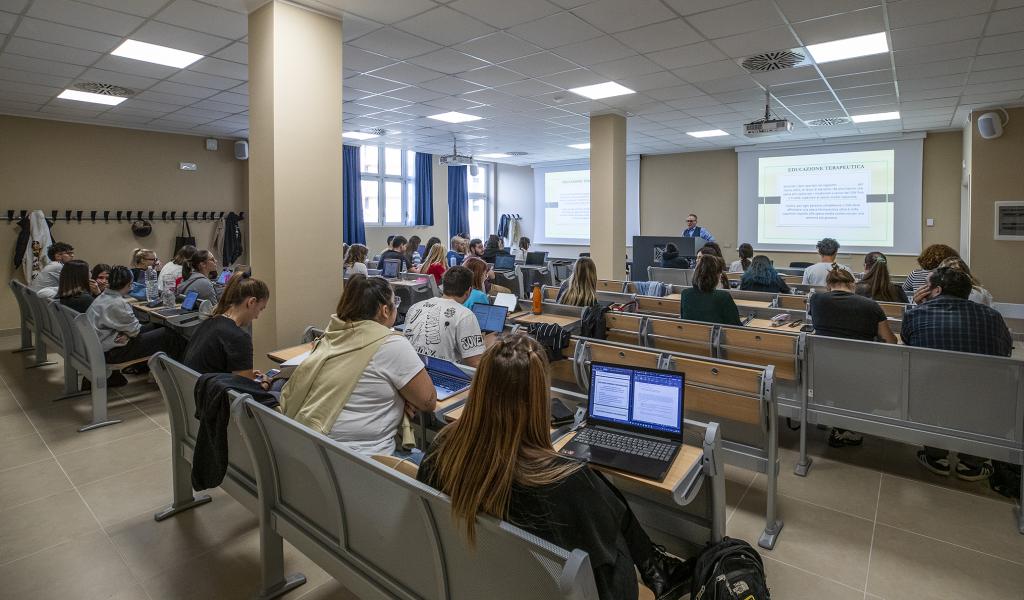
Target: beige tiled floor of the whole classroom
x: 76, y: 516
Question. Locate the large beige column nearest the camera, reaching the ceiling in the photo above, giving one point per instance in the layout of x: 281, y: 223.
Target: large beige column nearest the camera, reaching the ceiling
x: 294, y: 169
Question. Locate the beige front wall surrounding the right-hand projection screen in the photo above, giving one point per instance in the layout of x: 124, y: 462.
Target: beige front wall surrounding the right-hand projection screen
x: 672, y: 186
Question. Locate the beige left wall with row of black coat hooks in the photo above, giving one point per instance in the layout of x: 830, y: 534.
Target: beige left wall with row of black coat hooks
x: 52, y: 165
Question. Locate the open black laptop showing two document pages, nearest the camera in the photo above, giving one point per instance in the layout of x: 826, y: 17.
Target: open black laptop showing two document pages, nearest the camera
x: 634, y: 420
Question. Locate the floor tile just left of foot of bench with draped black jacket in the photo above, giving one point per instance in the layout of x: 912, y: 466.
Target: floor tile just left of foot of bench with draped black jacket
x: 130, y: 494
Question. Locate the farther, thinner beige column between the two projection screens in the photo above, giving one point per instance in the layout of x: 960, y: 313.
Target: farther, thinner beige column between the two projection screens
x: 608, y: 195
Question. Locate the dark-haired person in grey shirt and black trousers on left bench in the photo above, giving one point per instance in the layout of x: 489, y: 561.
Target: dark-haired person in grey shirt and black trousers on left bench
x: 121, y: 335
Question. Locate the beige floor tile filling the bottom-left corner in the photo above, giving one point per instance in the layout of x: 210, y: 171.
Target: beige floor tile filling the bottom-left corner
x: 86, y: 569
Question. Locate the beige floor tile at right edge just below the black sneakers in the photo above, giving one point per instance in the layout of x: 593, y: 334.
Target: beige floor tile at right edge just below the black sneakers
x: 953, y: 517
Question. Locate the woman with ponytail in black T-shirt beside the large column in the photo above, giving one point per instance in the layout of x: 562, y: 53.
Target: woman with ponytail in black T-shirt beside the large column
x: 222, y: 344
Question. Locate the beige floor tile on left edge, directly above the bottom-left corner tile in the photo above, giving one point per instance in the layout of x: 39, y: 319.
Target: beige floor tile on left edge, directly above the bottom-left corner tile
x: 35, y: 526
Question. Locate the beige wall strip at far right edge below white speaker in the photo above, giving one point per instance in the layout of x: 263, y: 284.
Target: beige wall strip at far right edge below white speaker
x: 997, y: 175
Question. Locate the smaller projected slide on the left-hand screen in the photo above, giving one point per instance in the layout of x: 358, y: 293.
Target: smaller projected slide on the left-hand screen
x: 567, y: 205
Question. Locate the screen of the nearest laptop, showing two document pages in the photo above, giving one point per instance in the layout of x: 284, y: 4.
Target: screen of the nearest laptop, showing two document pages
x: 637, y: 399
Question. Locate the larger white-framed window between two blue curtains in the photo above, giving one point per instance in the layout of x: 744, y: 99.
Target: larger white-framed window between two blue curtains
x: 389, y: 186
